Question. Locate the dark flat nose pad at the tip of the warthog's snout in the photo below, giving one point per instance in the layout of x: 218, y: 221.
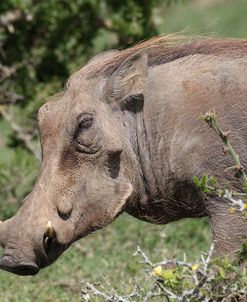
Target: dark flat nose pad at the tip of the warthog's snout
x: 22, y: 268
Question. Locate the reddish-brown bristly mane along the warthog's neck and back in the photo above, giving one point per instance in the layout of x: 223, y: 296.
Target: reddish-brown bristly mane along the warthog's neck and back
x: 167, y: 48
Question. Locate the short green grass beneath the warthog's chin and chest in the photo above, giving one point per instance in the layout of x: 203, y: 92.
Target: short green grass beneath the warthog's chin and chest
x: 107, y: 253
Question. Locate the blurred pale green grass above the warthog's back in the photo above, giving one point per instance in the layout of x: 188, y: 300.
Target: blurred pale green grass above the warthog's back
x: 225, y: 18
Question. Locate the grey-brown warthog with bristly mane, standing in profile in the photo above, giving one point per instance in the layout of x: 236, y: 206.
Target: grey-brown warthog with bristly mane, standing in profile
x: 125, y: 136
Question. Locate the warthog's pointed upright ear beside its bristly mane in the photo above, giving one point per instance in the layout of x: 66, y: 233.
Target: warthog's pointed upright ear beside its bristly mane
x: 129, y: 79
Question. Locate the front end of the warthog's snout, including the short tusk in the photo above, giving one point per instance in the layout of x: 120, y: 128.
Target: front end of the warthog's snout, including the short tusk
x: 26, y: 253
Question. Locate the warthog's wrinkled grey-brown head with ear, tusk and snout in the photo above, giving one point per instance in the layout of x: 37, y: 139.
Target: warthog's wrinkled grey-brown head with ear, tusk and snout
x: 89, y: 170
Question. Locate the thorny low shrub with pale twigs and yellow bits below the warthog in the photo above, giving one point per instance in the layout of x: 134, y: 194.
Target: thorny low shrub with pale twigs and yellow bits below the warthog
x: 172, y: 280
